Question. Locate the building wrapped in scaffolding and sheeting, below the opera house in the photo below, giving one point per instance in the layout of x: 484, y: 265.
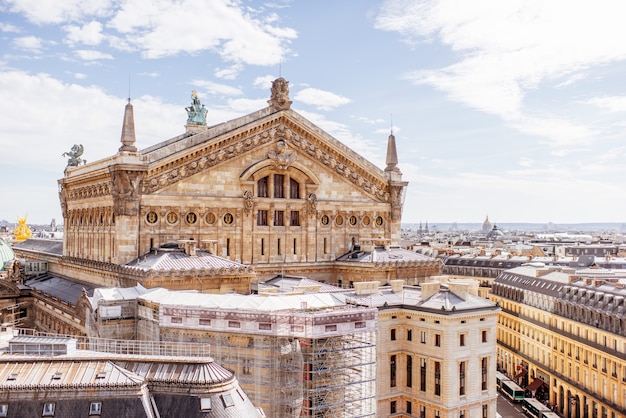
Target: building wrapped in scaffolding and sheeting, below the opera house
x: 308, y: 362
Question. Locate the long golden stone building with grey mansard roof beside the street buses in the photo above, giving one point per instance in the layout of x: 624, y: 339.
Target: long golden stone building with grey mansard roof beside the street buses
x: 561, y: 335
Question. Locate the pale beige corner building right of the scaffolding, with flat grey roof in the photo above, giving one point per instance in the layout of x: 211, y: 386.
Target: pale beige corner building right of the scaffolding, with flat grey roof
x: 437, y: 346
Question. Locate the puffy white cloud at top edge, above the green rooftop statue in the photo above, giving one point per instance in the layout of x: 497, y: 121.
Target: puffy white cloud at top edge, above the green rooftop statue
x: 169, y: 27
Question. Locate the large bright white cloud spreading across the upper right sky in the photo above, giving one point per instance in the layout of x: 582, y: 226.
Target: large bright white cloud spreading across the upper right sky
x: 506, y: 50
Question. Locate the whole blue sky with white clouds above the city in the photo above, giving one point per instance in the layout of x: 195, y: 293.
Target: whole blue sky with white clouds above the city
x: 512, y: 109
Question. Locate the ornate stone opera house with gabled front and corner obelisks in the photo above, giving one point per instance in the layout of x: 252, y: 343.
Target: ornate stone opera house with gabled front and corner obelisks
x: 269, y: 190
